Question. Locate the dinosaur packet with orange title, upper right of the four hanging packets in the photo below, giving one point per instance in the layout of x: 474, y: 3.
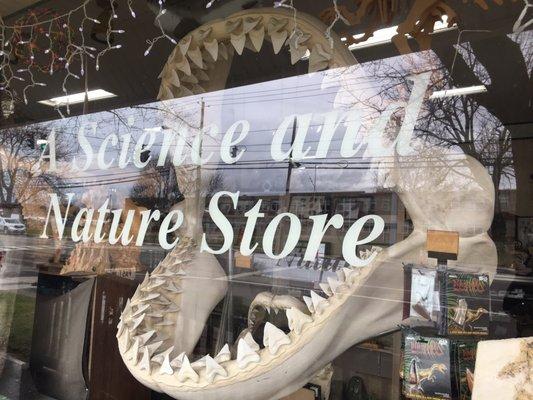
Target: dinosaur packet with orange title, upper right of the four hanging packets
x: 467, y: 302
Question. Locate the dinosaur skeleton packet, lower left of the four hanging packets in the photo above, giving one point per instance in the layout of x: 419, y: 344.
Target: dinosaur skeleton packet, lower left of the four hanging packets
x: 426, y: 368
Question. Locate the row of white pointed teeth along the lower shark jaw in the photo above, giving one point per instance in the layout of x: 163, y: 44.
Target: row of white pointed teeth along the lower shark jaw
x: 143, y: 349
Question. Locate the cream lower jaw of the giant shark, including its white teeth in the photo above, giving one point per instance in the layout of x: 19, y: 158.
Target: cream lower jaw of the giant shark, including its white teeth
x: 362, y: 303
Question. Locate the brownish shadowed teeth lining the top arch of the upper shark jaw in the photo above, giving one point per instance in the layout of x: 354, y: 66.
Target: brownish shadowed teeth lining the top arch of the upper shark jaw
x: 197, y: 52
